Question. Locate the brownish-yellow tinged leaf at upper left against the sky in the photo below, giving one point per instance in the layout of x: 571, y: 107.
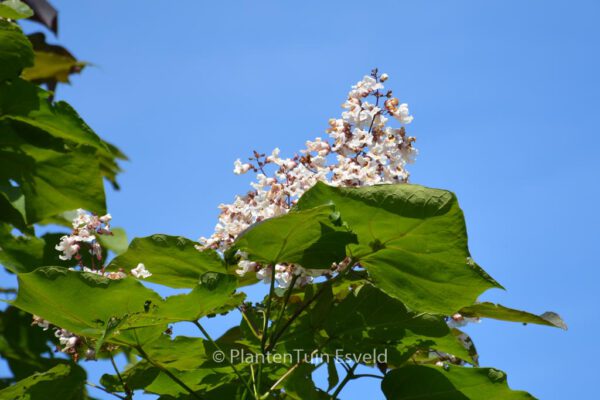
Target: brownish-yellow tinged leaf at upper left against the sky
x: 52, y: 63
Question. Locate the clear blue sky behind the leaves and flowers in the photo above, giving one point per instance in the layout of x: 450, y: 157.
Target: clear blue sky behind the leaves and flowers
x: 506, y: 99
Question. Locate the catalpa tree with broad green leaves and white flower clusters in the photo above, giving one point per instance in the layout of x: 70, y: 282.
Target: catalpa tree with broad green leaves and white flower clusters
x: 359, y: 268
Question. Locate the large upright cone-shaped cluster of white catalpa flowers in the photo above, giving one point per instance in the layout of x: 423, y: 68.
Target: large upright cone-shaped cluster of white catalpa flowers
x: 360, y: 150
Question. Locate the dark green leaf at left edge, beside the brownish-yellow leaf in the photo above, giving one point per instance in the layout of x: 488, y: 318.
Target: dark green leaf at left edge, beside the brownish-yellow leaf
x: 16, y: 52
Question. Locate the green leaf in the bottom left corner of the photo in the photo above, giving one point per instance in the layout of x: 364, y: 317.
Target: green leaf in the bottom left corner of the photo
x: 63, y: 381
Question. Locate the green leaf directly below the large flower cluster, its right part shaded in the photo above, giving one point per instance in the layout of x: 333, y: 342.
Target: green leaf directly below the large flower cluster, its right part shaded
x: 312, y: 238
